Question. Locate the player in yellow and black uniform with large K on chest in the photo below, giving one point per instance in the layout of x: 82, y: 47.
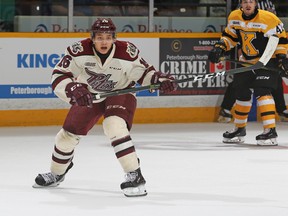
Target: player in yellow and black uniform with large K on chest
x: 251, y: 28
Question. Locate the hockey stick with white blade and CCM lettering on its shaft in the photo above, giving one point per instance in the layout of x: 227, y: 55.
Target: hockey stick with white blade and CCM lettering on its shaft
x: 268, y: 52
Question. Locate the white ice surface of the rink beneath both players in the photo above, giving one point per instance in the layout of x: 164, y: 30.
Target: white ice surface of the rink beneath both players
x: 189, y: 172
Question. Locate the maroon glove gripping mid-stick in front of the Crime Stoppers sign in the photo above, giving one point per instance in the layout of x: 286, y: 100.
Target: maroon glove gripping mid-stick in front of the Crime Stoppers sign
x: 166, y: 81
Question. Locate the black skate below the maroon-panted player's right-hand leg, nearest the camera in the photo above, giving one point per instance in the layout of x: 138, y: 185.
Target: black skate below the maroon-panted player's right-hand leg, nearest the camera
x: 134, y: 185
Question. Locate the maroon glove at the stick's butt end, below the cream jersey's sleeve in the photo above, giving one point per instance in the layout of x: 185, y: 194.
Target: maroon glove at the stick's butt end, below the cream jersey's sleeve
x: 79, y: 94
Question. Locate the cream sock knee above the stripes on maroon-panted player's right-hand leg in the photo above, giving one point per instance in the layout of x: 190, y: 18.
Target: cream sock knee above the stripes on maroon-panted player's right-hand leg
x: 115, y: 127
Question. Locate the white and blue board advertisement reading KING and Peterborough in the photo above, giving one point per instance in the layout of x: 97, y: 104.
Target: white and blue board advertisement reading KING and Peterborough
x: 27, y: 64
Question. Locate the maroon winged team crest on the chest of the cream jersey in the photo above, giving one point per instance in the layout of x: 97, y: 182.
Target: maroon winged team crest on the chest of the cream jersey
x: 100, y: 82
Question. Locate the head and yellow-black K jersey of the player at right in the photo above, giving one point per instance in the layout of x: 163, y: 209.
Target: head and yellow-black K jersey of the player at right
x: 252, y: 31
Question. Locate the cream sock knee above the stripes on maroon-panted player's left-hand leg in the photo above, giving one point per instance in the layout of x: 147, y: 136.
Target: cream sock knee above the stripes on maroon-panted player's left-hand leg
x: 66, y: 141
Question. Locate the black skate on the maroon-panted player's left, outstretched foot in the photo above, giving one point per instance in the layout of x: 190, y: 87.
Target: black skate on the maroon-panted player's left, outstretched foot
x: 50, y: 179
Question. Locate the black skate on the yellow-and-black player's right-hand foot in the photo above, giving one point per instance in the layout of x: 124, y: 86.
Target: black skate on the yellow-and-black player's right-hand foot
x: 267, y: 138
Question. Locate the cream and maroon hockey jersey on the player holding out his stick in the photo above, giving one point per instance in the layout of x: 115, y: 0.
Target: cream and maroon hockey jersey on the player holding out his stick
x: 122, y: 68
